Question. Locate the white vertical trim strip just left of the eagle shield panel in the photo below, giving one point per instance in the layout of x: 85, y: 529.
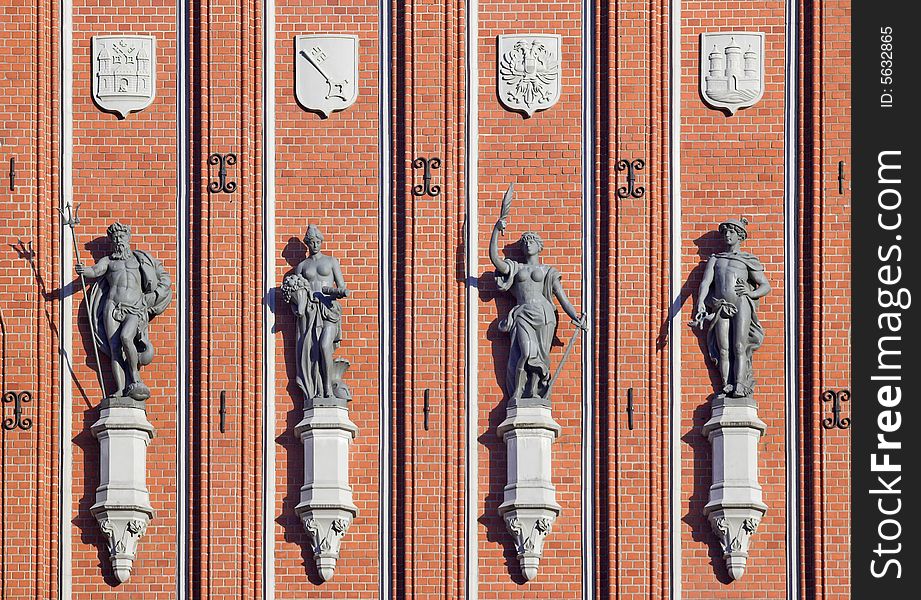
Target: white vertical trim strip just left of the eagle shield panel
x: 472, y: 329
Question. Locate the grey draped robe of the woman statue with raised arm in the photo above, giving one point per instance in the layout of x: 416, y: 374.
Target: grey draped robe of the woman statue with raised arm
x: 535, y: 322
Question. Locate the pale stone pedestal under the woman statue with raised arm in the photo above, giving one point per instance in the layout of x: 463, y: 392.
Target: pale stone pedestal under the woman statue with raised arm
x: 529, y: 505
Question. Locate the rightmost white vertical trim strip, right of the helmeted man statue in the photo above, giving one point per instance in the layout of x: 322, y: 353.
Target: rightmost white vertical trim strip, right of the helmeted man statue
x: 791, y: 287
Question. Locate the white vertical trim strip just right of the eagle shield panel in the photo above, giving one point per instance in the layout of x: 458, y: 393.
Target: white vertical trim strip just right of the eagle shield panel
x: 588, y: 300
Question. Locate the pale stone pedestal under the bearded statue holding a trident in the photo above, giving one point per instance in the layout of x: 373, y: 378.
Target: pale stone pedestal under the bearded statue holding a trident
x: 122, y: 505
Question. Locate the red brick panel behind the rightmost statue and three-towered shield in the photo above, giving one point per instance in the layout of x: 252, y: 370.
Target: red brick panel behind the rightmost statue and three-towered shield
x: 732, y: 166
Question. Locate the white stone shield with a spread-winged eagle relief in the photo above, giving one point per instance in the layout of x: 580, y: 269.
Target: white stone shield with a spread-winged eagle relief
x: 528, y: 74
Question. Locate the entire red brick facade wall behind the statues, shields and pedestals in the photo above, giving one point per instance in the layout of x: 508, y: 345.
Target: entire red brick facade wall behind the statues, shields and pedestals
x: 328, y: 173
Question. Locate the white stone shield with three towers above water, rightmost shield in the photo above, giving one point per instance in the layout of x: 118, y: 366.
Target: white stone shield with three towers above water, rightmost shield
x: 731, y: 69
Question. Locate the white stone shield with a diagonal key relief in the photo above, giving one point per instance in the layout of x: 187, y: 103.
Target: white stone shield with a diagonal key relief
x: 326, y: 72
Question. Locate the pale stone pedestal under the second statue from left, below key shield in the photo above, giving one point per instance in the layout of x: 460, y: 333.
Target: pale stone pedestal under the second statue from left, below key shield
x: 326, y: 507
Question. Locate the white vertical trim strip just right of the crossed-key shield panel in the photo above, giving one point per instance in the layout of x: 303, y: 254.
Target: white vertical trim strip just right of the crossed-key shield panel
x: 385, y: 206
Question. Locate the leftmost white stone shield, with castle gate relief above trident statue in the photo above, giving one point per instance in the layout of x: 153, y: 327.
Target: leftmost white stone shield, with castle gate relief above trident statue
x: 124, y: 72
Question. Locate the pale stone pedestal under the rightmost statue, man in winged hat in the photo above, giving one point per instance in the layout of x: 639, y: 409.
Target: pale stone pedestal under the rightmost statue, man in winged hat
x: 735, y: 507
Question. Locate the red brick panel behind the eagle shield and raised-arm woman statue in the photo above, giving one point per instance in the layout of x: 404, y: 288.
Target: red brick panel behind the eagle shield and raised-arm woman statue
x: 542, y: 155
